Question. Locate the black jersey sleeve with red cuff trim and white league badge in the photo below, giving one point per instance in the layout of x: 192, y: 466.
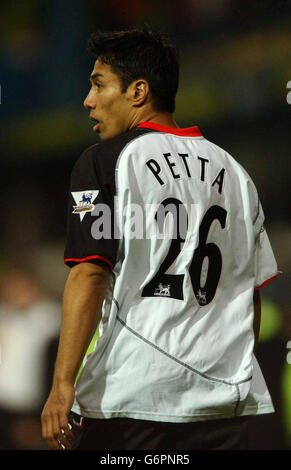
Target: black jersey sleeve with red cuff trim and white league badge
x: 91, y: 191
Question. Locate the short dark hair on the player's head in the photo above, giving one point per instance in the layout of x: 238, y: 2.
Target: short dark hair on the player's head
x: 140, y: 53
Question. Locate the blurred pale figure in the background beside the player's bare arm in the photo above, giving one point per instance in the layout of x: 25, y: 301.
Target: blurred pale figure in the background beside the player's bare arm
x: 29, y: 326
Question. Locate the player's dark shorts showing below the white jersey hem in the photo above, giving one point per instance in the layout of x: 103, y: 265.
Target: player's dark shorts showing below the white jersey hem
x: 135, y: 434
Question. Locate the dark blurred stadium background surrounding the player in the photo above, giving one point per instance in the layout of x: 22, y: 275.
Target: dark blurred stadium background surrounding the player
x: 235, y: 67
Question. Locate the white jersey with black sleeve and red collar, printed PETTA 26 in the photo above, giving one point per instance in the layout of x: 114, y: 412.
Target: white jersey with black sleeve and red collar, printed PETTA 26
x: 188, y: 249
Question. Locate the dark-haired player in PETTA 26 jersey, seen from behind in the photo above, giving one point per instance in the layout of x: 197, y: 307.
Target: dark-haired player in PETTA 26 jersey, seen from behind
x: 168, y: 250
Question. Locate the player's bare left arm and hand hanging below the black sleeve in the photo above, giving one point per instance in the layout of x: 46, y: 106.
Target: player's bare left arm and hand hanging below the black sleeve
x: 83, y: 297
